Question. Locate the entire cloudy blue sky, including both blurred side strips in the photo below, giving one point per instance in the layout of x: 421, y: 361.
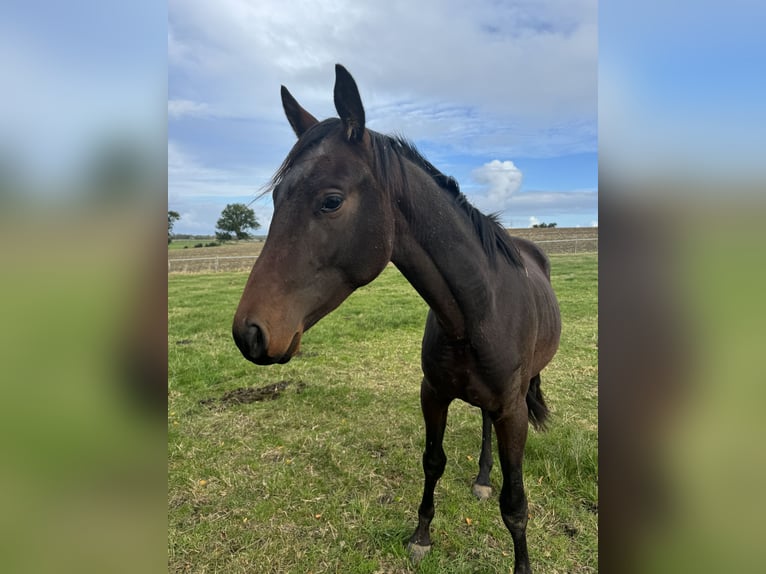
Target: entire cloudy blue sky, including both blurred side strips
x: 680, y: 92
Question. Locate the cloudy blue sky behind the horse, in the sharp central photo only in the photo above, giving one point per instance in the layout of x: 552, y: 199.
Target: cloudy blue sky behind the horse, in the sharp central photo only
x: 500, y: 95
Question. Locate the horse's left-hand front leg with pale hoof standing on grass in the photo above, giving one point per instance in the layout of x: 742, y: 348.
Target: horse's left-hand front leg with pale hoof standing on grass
x: 434, y: 460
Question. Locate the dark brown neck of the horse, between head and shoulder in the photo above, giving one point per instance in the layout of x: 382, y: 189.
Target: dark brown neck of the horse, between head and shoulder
x: 440, y: 254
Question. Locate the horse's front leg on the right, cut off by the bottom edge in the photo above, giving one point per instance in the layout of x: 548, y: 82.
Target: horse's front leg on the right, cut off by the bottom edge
x: 511, y: 429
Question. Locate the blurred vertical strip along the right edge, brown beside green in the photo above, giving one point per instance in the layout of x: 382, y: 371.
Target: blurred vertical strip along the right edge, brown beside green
x: 682, y: 129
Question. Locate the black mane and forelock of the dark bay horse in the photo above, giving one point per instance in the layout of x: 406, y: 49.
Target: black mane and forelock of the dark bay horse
x: 388, y: 152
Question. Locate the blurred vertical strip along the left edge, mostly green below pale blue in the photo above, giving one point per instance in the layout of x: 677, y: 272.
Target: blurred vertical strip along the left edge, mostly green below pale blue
x: 82, y: 310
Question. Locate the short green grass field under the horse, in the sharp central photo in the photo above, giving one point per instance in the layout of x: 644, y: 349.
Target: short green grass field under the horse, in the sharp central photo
x: 326, y: 477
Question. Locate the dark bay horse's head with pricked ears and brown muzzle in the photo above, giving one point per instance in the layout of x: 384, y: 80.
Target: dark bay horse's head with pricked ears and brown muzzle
x: 332, y: 230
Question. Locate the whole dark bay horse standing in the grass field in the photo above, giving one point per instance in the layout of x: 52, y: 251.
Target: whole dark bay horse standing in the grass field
x: 348, y: 200
